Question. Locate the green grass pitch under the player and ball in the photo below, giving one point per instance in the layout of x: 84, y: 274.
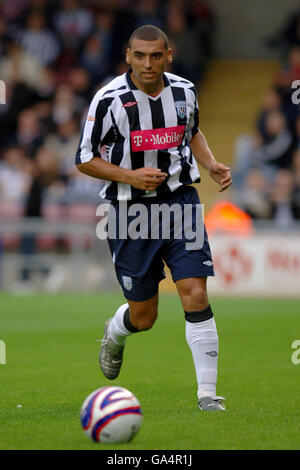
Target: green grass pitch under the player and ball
x: 52, y: 365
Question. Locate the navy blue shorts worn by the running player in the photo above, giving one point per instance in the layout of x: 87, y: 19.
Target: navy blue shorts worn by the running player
x: 139, y: 263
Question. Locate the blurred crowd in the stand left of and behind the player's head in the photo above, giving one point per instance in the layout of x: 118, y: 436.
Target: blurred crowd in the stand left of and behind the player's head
x: 54, y: 55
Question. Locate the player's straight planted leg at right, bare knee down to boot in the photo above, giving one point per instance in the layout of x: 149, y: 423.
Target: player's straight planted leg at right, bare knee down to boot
x: 202, y: 338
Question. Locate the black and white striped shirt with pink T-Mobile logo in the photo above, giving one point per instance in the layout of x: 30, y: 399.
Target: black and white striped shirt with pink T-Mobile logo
x: 131, y: 129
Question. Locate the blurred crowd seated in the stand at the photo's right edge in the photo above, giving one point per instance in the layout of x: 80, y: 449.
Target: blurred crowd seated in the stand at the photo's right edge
x: 266, y: 179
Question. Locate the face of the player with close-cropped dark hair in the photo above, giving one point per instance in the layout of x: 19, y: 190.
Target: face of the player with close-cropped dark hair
x: 148, y: 60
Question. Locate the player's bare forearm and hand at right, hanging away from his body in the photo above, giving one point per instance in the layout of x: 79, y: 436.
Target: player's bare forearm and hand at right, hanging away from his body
x: 202, y: 153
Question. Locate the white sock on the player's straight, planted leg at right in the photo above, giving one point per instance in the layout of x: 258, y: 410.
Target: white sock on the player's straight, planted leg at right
x: 202, y: 338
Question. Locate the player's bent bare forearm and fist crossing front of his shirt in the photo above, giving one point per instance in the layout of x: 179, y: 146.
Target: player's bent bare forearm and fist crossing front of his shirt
x: 142, y: 178
